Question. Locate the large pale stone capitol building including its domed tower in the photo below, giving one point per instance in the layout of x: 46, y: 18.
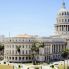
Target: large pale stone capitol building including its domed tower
x: 53, y: 45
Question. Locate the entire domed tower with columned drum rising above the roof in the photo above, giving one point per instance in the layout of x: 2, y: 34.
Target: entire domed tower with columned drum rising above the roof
x: 62, y: 25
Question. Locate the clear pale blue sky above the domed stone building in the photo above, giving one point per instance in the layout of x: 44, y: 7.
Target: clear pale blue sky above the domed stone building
x: 35, y: 17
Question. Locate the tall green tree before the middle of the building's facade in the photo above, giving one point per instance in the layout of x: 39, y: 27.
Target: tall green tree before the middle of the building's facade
x: 35, y: 50
